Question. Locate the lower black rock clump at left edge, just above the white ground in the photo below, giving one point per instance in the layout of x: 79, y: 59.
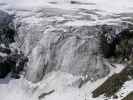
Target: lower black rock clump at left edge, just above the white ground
x: 13, y: 63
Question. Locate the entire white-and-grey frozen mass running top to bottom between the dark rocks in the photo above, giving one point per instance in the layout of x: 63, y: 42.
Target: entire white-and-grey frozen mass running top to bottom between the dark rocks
x: 53, y: 34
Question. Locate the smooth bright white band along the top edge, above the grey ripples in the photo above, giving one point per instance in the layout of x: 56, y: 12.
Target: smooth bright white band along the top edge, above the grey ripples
x: 104, y: 6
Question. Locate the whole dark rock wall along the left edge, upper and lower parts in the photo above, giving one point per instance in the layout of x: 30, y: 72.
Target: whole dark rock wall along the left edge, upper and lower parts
x: 13, y: 62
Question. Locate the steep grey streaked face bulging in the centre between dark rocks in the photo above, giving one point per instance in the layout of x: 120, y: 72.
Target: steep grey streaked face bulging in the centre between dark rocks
x: 67, y: 51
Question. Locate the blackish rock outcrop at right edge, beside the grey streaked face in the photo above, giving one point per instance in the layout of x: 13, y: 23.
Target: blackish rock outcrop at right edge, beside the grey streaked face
x: 113, y: 43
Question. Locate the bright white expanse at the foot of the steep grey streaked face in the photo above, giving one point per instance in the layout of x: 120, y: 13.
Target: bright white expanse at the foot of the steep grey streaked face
x: 65, y: 87
